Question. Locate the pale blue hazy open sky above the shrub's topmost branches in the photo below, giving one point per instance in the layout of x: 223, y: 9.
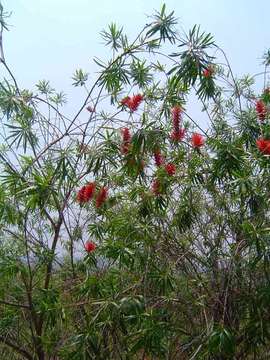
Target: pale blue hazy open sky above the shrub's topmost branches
x: 49, y: 39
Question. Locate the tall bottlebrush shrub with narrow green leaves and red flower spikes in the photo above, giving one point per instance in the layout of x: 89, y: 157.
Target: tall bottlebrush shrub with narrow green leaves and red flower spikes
x: 182, y: 270
